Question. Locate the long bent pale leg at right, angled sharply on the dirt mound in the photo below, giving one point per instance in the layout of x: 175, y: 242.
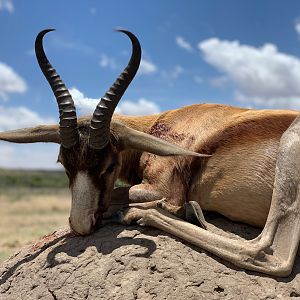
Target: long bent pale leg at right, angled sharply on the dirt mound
x: 273, y: 251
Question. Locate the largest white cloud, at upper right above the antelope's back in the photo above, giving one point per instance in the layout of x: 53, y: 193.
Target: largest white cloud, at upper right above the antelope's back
x: 263, y: 74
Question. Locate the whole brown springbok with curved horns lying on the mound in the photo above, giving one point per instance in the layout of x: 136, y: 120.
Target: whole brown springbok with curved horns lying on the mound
x: 248, y: 169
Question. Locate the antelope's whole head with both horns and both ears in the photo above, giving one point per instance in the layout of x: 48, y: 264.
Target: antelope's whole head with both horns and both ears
x: 90, y: 151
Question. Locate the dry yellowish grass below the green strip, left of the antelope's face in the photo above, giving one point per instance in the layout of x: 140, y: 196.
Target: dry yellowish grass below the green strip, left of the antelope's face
x: 26, y: 214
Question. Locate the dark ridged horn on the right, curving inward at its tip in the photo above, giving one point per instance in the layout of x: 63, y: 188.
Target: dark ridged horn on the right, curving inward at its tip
x: 100, y: 123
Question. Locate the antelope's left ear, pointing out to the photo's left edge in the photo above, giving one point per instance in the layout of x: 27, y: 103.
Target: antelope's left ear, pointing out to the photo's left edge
x: 42, y: 133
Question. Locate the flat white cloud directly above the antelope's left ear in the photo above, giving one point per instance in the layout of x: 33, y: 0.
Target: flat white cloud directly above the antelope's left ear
x: 20, y: 117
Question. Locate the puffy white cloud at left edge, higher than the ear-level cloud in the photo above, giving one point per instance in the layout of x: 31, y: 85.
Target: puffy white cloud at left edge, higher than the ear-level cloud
x: 10, y: 81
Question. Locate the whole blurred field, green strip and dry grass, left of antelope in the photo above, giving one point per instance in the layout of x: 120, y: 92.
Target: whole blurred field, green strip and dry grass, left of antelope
x: 32, y: 204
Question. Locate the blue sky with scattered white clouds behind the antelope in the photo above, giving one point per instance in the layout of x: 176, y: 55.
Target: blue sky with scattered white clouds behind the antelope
x: 243, y: 53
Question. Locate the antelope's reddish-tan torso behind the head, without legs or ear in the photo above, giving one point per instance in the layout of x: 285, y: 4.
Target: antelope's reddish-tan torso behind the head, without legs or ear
x: 237, y: 181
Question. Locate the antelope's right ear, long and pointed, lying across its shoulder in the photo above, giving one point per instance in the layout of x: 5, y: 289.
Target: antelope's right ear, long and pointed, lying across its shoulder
x: 127, y: 137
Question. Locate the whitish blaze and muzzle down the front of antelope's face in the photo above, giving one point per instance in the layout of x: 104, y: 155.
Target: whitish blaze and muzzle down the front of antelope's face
x: 85, y: 197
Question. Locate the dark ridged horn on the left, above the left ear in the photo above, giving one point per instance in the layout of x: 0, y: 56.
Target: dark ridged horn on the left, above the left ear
x: 67, y: 114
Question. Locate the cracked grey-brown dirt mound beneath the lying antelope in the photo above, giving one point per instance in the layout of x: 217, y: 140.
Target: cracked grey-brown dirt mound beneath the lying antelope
x: 120, y: 262
